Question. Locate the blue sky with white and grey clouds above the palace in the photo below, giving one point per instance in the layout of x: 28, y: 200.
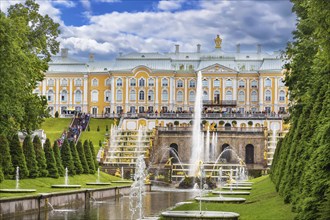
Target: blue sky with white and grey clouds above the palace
x: 109, y: 27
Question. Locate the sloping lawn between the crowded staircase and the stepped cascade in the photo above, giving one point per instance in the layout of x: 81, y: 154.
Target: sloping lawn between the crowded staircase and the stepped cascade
x: 94, y: 135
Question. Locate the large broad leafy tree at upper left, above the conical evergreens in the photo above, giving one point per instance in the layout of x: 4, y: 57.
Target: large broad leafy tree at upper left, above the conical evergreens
x: 26, y: 49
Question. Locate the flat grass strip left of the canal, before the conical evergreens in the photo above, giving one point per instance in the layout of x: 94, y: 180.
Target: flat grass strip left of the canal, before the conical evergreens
x: 43, y: 185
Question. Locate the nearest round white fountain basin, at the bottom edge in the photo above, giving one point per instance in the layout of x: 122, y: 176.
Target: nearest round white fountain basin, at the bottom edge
x: 199, y: 215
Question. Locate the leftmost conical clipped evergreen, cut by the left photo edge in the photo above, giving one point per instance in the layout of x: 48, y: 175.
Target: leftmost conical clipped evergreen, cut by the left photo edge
x: 5, y: 159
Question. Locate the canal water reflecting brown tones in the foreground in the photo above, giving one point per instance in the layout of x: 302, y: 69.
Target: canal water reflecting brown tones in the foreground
x: 116, y: 208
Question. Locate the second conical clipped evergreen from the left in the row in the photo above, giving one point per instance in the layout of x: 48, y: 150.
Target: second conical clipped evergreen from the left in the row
x: 17, y: 157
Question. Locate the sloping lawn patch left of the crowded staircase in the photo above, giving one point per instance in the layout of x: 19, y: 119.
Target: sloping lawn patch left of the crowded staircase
x: 54, y: 127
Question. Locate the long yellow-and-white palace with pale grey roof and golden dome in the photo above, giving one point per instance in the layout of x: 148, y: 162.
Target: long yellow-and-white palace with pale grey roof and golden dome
x: 166, y: 82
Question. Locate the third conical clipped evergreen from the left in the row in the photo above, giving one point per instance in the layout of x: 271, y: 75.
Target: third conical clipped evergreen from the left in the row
x: 30, y: 157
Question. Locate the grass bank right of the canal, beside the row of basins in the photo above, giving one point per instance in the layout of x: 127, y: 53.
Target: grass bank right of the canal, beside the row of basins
x: 262, y: 203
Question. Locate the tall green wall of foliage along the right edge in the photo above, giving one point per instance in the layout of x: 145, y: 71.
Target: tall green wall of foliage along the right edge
x: 301, y: 162
